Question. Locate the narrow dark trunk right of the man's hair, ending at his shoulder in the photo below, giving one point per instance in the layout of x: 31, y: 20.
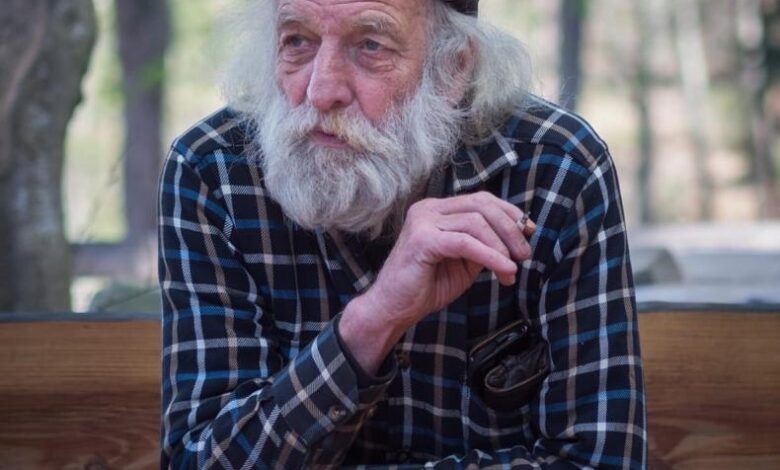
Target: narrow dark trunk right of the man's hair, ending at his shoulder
x: 572, y: 18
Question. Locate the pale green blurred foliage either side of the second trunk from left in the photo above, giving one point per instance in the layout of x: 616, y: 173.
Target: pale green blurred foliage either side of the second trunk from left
x: 94, y: 209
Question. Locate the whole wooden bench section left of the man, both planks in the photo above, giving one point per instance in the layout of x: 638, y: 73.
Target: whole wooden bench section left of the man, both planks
x: 79, y: 395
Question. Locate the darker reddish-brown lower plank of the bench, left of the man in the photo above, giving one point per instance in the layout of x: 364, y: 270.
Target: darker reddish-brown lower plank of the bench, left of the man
x: 84, y: 431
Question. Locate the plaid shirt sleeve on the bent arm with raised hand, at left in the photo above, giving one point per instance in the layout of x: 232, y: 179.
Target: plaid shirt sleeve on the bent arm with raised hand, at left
x: 230, y: 399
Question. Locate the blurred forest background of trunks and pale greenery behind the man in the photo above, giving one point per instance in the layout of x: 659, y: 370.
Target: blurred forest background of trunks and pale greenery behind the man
x: 686, y: 92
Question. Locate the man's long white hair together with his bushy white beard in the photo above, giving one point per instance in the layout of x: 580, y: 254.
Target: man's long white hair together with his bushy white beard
x: 367, y: 188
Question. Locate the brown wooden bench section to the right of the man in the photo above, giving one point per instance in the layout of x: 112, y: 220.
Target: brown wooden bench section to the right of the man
x: 713, y: 389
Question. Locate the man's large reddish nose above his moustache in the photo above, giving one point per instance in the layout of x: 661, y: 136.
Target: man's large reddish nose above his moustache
x: 329, y: 85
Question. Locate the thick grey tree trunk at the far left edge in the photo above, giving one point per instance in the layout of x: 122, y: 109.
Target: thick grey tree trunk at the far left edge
x: 44, y: 51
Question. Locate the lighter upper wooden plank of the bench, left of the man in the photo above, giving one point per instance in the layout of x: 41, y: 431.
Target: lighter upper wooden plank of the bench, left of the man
x: 74, y: 357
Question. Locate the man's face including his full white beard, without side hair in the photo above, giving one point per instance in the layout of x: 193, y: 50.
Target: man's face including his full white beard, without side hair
x: 357, y: 123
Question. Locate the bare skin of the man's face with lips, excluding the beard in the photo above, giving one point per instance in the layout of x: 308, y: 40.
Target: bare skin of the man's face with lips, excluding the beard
x: 350, y: 55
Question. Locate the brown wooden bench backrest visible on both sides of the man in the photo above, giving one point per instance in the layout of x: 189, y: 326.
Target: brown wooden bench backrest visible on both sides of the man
x: 82, y: 391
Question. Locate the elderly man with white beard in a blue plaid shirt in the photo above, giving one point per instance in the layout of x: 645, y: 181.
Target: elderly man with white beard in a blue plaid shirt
x: 386, y: 252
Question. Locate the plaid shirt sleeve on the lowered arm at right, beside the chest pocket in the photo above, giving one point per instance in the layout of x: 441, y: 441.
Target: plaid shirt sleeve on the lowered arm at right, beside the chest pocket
x: 590, y: 411
